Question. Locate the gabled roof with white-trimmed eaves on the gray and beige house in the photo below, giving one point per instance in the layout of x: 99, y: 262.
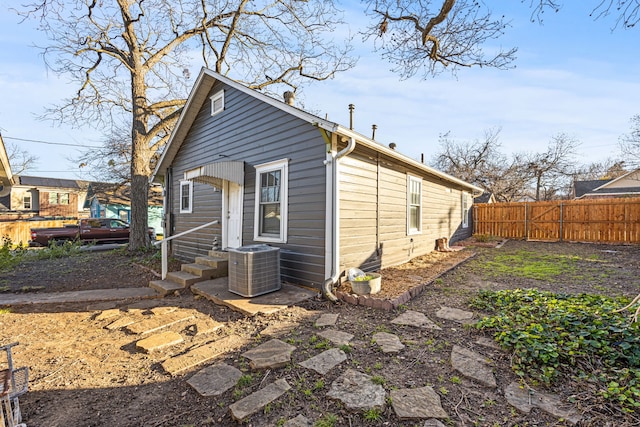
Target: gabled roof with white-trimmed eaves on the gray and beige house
x: 205, y: 81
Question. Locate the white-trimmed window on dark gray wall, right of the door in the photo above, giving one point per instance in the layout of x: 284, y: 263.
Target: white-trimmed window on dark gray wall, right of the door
x: 271, y: 202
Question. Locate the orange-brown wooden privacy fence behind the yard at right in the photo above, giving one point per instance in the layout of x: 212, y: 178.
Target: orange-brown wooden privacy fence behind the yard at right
x: 590, y: 220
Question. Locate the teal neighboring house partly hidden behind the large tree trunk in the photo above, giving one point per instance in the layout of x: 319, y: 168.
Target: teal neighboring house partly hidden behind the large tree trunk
x: 107, y: 200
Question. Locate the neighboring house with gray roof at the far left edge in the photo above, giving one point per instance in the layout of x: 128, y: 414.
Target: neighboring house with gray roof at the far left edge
x: 54, y: 198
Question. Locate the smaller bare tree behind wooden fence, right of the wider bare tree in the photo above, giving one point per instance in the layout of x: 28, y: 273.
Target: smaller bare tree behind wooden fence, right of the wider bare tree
x: 552, y: 171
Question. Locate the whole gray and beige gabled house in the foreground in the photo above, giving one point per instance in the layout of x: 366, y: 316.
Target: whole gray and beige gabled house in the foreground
x: 274, y: 174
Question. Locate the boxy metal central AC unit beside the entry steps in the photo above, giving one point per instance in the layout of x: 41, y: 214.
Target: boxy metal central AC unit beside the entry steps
x: 254, y: 270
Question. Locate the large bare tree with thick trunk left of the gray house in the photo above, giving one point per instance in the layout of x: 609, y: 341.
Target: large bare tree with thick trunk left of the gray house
x: 131, y: 58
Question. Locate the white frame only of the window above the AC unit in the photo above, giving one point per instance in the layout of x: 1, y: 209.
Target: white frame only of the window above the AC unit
x: 283, y: 166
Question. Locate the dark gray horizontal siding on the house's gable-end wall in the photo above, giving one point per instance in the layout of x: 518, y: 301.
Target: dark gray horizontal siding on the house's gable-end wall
x: 256, y: 133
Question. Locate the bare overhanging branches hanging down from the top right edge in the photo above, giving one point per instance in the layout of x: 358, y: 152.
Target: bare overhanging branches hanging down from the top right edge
x: 428, y: 36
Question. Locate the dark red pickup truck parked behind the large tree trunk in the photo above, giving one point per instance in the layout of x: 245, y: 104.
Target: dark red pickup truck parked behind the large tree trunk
x: 91, y: 230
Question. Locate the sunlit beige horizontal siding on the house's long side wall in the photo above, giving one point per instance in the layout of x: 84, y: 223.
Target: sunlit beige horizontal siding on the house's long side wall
x: 373, y: 235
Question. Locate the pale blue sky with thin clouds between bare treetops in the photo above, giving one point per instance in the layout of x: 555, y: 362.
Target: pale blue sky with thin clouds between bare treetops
x: 573, y: 75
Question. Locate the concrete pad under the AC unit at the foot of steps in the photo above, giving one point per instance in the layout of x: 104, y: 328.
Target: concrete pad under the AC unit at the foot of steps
x: 217, y: 290
